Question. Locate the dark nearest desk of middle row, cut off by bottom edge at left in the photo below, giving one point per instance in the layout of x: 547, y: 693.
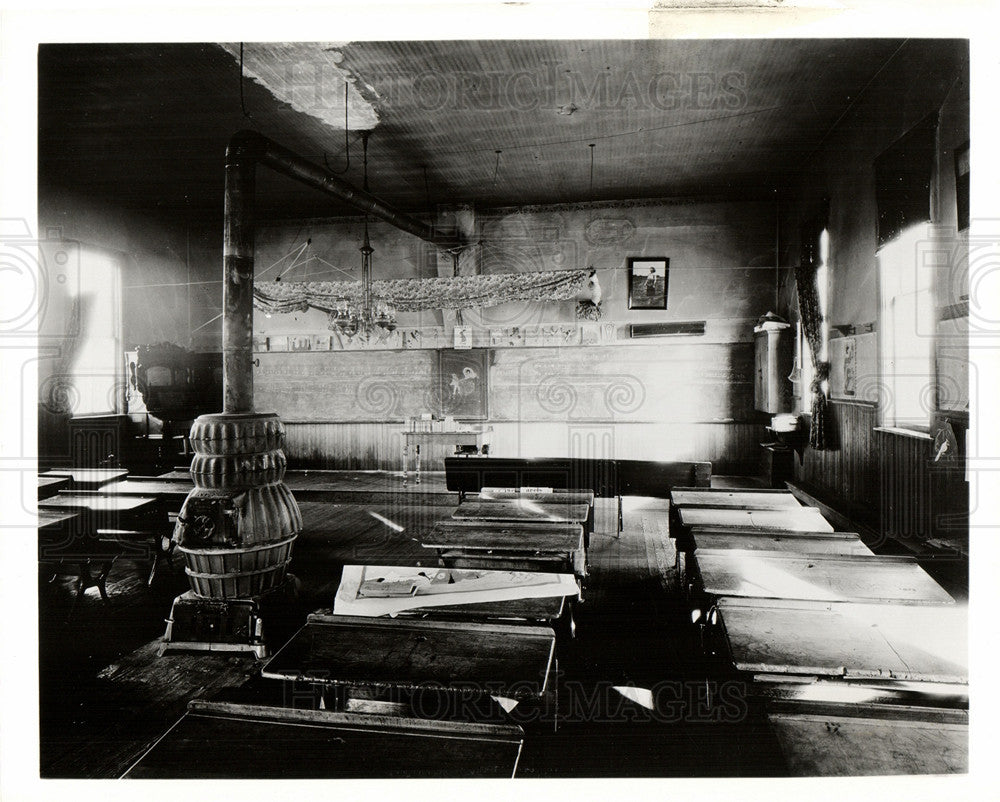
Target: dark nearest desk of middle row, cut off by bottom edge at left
x: 227, y: 741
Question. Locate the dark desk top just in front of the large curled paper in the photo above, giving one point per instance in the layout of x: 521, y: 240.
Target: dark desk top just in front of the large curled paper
x: 409, y: 654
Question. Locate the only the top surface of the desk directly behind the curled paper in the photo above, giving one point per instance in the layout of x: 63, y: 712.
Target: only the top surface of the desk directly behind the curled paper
x: 558, y: 537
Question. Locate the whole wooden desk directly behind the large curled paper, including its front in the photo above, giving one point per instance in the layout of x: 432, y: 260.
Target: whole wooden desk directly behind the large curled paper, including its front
x: 510, y: 545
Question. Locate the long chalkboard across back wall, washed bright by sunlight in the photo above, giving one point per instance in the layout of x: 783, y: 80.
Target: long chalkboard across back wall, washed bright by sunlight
x: 671, y: 381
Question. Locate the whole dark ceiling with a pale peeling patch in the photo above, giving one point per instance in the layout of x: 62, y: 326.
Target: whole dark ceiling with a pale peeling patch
x: 145, y: 126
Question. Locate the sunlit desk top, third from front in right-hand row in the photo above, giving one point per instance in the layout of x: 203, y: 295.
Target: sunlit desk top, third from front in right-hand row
x: 859, y: 578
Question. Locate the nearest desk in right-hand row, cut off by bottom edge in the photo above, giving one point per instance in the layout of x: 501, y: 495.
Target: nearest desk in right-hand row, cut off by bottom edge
x: 836, y: 740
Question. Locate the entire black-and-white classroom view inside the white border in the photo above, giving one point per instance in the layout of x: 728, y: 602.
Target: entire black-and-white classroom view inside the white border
x: 660, y: 346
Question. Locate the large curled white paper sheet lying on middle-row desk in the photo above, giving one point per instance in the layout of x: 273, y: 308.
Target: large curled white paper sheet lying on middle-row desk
x: 437, y: 587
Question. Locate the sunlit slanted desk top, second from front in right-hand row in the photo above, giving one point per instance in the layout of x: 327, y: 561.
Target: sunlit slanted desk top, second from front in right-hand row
x: 859, y: 641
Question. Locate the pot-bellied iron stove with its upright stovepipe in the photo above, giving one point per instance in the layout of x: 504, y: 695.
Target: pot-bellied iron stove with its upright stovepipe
x: 238, y: 524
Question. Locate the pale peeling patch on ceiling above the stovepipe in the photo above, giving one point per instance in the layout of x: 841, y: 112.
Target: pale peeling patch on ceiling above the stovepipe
x: 307, y: 76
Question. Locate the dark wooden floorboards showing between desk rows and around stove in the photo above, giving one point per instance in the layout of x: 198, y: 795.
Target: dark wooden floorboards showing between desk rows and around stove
x: 105, y: 695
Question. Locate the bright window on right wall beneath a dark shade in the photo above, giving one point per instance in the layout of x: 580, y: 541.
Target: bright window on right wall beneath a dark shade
x: 906, y: 326
